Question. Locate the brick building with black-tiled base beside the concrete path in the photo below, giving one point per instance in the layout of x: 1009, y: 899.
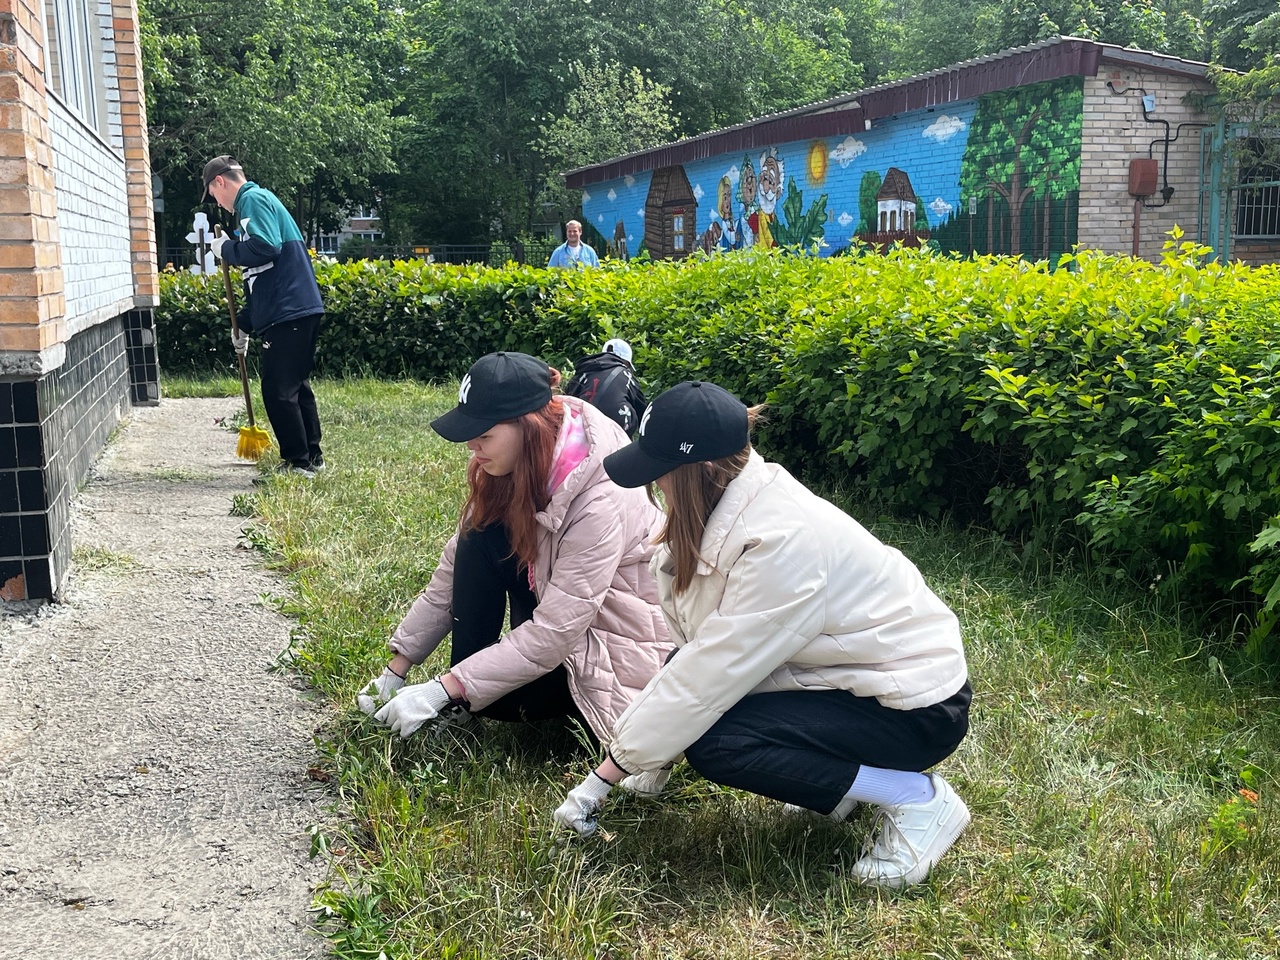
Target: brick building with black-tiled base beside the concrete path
x: 79, y: 277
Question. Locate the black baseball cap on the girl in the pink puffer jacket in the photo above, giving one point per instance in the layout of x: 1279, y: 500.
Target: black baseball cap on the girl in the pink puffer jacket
x: 499, y: 387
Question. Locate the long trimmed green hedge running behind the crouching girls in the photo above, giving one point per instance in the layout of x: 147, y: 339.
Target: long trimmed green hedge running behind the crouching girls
x: 1113, y: 404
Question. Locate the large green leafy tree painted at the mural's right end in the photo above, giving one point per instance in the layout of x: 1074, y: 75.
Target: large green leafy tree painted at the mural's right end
x: 1025, y: 143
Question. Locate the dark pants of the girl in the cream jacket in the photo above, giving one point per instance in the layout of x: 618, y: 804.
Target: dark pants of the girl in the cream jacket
x: 806, y: 748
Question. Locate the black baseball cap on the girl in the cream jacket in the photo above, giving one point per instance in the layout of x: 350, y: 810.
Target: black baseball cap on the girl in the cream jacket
x: 693, y: 422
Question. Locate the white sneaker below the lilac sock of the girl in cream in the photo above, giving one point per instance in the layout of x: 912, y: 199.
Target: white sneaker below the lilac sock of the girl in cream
x: 912, y: 839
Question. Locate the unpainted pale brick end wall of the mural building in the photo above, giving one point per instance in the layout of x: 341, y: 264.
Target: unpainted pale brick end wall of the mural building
x: 1116, y: 132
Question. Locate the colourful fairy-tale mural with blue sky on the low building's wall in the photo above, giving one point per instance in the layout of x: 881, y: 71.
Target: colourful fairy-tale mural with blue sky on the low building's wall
x: 1000, y: 175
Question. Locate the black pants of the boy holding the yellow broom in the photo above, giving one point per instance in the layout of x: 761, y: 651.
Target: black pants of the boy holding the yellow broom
x: 289, y: 356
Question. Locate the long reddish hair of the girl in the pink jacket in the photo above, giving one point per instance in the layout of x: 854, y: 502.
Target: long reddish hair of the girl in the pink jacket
x: 516, y: 499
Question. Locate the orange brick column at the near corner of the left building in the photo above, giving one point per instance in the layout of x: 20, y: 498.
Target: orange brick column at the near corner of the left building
x: 33, y: 307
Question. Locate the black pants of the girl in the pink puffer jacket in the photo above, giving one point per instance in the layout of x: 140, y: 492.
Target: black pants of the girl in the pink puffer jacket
x: 486, y: 579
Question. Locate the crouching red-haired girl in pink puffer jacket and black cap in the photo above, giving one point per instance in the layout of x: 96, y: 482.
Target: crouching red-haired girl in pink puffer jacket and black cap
x: 546, y: 531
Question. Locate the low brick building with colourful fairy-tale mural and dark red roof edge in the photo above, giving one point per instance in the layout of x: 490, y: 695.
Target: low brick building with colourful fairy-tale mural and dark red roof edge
x: 1028, y: 152
